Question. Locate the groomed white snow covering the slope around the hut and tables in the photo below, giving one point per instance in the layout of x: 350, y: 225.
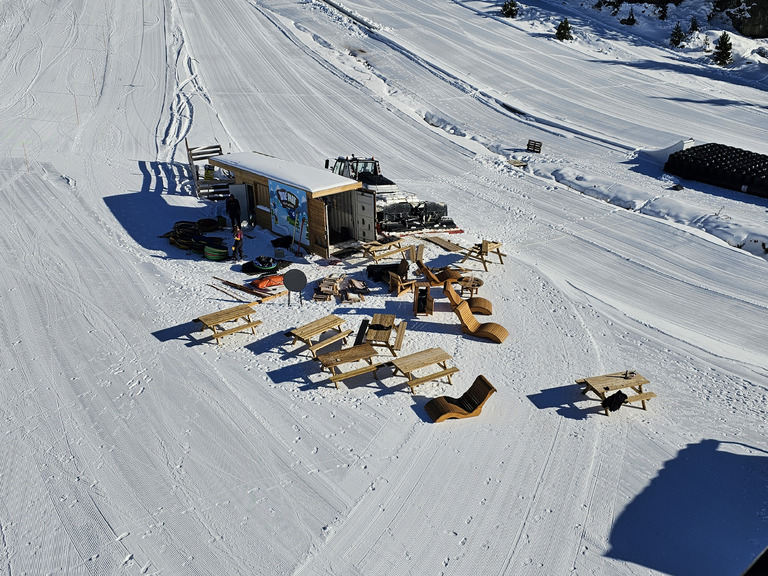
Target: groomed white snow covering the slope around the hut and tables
x: 132, y: 445
